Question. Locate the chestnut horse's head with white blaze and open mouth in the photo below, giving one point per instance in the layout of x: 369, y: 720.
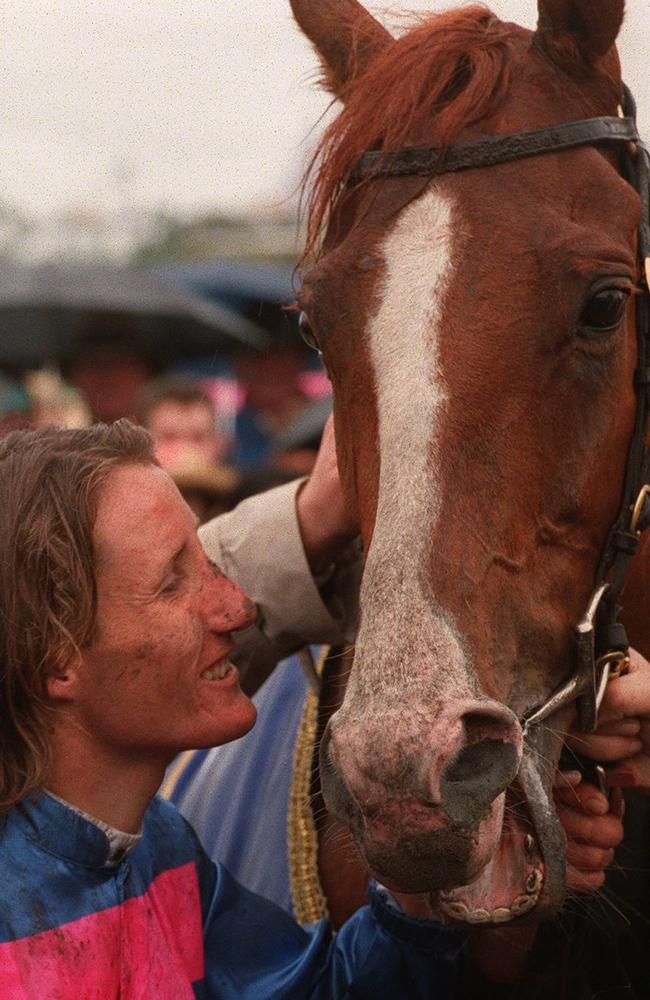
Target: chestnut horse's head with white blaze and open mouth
x: 479, y: 330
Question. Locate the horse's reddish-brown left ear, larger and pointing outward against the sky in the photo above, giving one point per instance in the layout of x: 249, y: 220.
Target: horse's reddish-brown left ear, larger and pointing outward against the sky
x: 345, y: 36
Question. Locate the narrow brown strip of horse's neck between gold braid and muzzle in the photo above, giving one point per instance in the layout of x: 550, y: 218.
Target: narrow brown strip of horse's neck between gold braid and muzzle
x: 343, y: 876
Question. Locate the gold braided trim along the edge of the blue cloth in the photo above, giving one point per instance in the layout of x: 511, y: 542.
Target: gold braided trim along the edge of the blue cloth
x: 308, y: 898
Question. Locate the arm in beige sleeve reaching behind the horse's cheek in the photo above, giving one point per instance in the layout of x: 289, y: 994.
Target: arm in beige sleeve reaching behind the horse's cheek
x: 292, y: 550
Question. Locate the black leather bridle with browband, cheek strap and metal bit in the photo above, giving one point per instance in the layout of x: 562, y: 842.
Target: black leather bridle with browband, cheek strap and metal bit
x: 601, y: 640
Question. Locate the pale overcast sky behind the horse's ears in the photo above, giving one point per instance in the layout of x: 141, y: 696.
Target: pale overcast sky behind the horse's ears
x: 179, y: 104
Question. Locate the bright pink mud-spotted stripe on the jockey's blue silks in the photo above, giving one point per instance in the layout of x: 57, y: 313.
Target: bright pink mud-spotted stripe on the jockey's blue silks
x: 149, y: 948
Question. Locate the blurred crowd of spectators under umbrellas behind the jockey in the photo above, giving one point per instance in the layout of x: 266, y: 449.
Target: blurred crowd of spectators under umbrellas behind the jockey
x: 223, y: 428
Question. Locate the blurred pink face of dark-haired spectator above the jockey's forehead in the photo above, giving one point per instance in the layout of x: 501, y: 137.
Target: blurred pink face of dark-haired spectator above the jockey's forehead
x: 175, y: 426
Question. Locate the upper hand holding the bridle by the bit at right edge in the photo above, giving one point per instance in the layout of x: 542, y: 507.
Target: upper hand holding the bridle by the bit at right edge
x: 623, y: 736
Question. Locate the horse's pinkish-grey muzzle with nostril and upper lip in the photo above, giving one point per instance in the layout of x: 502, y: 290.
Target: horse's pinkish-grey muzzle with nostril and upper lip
x: 416, y: 801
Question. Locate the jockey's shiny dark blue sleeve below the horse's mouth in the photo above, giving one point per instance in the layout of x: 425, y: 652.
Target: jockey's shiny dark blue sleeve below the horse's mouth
x: 254, y: 949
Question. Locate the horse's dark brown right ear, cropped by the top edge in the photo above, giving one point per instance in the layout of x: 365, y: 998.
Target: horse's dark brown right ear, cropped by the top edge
x: 590, y: 26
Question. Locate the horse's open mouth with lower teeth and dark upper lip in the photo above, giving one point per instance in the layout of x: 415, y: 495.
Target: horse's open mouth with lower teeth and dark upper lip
x: 509, y: 866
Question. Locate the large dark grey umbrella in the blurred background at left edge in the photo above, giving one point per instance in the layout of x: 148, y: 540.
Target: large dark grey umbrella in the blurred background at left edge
x: 45, y: 312
